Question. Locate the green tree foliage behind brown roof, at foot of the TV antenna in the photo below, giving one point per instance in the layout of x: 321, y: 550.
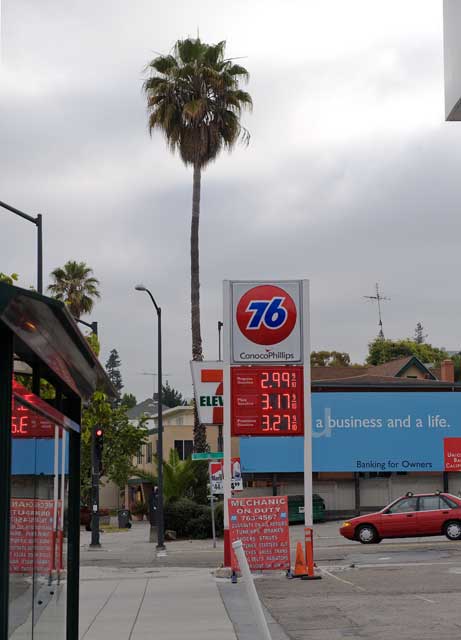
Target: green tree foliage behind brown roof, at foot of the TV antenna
x: 381, y: 351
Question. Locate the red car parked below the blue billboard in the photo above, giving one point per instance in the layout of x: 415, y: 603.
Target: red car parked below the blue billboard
x: 425, y: 514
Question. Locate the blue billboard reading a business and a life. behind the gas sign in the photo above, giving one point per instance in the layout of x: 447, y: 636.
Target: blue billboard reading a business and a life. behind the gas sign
x: 364, y: 432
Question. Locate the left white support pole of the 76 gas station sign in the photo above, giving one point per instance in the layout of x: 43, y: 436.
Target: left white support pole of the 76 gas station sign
x: 227, y: 419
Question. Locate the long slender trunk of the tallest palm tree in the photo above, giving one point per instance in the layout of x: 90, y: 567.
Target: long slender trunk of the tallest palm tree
x: 200, y: 443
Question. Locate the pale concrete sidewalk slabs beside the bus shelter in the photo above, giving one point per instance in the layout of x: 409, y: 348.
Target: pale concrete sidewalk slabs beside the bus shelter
x: 141, y: 604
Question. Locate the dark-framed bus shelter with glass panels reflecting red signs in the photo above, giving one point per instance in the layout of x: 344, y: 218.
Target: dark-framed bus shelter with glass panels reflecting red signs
x: 47, y: 370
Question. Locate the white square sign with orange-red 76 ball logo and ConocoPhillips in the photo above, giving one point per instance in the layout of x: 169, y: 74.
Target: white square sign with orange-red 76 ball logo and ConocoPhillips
x: 266, y: 322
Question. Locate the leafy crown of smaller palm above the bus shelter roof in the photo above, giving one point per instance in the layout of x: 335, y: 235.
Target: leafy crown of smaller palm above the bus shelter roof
x: 74, y: 285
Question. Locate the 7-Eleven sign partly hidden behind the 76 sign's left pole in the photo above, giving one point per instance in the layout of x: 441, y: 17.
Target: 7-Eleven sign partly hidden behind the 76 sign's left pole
x: 208, y: 391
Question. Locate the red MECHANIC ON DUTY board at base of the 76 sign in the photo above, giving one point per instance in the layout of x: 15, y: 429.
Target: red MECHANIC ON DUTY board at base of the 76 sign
x: 261, y: 523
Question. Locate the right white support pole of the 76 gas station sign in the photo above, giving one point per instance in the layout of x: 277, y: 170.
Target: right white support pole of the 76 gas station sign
x: 307, y: 407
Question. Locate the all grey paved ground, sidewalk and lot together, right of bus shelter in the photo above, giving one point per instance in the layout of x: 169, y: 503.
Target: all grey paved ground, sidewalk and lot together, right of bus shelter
x: 406, y: 588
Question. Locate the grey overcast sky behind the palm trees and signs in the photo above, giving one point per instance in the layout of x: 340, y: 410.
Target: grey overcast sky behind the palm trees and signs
x: 352, y: 176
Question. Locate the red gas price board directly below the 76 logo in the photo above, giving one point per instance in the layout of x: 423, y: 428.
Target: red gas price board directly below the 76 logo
x: 267, y: 401
